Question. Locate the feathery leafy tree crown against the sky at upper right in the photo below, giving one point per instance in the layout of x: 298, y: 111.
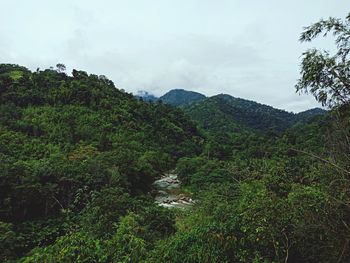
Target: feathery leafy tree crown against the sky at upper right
x: 327, y: 76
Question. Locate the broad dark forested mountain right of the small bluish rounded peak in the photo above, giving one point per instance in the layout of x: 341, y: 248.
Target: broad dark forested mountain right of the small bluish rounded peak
x: 222, y: 111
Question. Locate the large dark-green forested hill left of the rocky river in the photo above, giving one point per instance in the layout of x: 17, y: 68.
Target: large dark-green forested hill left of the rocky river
x: 75, y: 152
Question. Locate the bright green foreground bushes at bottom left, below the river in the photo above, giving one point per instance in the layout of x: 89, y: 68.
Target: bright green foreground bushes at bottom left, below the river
x: 127, y: 242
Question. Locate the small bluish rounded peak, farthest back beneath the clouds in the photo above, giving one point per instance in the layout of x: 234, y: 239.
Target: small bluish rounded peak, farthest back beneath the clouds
x: 181, y: 97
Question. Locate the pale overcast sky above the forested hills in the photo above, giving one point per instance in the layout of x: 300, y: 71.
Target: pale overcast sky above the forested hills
x: 245, y: 48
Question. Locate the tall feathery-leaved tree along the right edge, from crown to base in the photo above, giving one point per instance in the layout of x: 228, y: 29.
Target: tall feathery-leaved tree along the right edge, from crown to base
x: 326, y: 76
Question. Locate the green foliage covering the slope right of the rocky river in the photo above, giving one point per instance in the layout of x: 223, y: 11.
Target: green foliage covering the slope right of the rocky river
x: 275, y: 197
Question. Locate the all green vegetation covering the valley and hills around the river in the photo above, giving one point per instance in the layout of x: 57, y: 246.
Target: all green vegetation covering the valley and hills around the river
x: 78, y: 158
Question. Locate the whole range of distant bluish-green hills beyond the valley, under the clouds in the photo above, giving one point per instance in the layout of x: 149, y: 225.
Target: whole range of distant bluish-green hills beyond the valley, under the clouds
x: 223, y: 111
